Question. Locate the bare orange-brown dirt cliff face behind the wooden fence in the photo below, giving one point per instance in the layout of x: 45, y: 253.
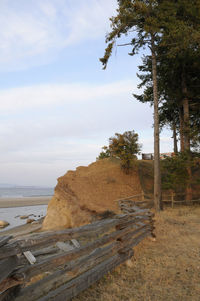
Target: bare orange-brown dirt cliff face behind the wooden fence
x: 82, y: 195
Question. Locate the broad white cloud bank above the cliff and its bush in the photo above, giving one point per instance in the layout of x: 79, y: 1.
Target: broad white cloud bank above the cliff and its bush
x: 74, y: 117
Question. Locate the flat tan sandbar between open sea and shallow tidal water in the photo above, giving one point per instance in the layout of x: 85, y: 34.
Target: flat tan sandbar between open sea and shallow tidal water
x: 25, y: 201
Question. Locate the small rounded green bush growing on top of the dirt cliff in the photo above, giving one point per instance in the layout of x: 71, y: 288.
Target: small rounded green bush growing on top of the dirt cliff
x: 124, y: 147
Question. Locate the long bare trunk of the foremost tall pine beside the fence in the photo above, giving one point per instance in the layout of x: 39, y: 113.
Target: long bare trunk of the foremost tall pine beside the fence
x: 157, y: 172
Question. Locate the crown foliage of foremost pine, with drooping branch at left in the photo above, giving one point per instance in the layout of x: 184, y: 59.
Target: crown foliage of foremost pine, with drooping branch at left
x: 137, y: 16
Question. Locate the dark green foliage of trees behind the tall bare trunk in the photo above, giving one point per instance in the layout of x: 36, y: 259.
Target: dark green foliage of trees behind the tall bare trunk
x: 171, y: 92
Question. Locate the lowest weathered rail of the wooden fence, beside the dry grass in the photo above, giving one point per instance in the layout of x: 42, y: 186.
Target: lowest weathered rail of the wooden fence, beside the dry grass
x: 75, y: 286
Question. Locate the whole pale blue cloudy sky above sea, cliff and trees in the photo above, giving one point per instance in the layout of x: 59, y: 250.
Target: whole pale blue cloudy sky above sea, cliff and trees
x: 58, y: 107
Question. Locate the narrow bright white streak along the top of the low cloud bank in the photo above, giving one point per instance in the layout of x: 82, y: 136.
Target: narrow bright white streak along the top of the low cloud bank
x: 59, y: 94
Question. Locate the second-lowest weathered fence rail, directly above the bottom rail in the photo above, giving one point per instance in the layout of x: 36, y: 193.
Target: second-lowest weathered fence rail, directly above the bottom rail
x: 71, y: 270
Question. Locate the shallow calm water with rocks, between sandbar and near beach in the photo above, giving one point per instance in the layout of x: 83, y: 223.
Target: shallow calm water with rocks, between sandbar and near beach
x: 12, y: 215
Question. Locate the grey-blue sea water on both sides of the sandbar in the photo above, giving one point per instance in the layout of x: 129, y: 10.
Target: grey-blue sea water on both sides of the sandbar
x: 12, y: 215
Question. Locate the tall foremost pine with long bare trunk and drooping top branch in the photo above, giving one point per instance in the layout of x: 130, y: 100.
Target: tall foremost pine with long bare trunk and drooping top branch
x: 141, y: 18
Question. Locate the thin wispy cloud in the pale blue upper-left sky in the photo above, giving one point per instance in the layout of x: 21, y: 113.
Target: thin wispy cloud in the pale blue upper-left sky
x: 33, y: 32
